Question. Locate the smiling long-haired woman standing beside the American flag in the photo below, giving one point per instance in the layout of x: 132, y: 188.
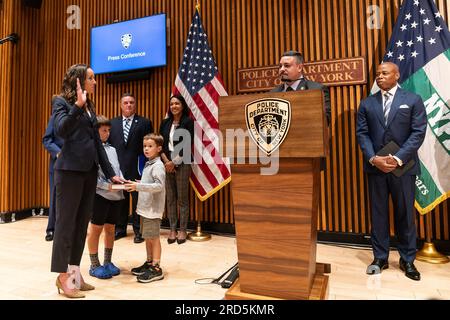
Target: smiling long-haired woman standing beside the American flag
x: 178, y: 133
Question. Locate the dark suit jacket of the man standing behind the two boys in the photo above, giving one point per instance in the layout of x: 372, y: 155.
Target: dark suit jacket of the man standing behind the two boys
x: 129, y: 153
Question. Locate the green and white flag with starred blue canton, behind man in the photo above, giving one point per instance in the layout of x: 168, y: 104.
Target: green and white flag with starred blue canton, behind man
x: 420, y: 46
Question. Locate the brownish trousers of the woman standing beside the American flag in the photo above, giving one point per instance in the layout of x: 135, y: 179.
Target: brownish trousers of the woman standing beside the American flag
x: 177, y: 192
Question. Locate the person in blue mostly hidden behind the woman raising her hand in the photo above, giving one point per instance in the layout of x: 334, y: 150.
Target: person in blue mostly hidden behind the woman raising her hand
x: 53, y: 144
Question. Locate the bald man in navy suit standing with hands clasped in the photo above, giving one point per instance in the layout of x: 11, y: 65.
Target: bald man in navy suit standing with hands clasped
x: 392, y: 114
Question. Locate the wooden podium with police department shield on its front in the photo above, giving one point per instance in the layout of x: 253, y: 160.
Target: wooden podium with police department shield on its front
x: 276, y: 215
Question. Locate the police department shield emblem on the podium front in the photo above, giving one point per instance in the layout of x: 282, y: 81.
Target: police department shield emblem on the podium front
x: 268, y: 122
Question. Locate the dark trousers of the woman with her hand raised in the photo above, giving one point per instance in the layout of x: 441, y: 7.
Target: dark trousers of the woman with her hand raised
x: 75, y: 192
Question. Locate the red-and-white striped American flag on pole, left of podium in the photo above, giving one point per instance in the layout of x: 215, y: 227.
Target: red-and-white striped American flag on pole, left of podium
x: 200, y: 83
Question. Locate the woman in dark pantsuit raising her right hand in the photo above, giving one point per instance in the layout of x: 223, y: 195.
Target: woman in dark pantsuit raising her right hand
x: 75, y: 176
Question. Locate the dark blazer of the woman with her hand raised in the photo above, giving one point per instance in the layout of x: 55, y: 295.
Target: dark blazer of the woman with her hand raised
x: 82, y: 148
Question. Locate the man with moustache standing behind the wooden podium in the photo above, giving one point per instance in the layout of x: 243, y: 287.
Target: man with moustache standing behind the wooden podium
x: 291, y: 73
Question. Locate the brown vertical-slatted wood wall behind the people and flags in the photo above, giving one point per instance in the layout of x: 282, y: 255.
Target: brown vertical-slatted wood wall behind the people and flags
x: 242, y: 34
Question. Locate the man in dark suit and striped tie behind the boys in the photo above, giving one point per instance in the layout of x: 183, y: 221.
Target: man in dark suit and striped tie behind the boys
x: 127, y: 135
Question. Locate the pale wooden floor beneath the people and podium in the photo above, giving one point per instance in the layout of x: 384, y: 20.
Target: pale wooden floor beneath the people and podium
x: 25, y: 270
